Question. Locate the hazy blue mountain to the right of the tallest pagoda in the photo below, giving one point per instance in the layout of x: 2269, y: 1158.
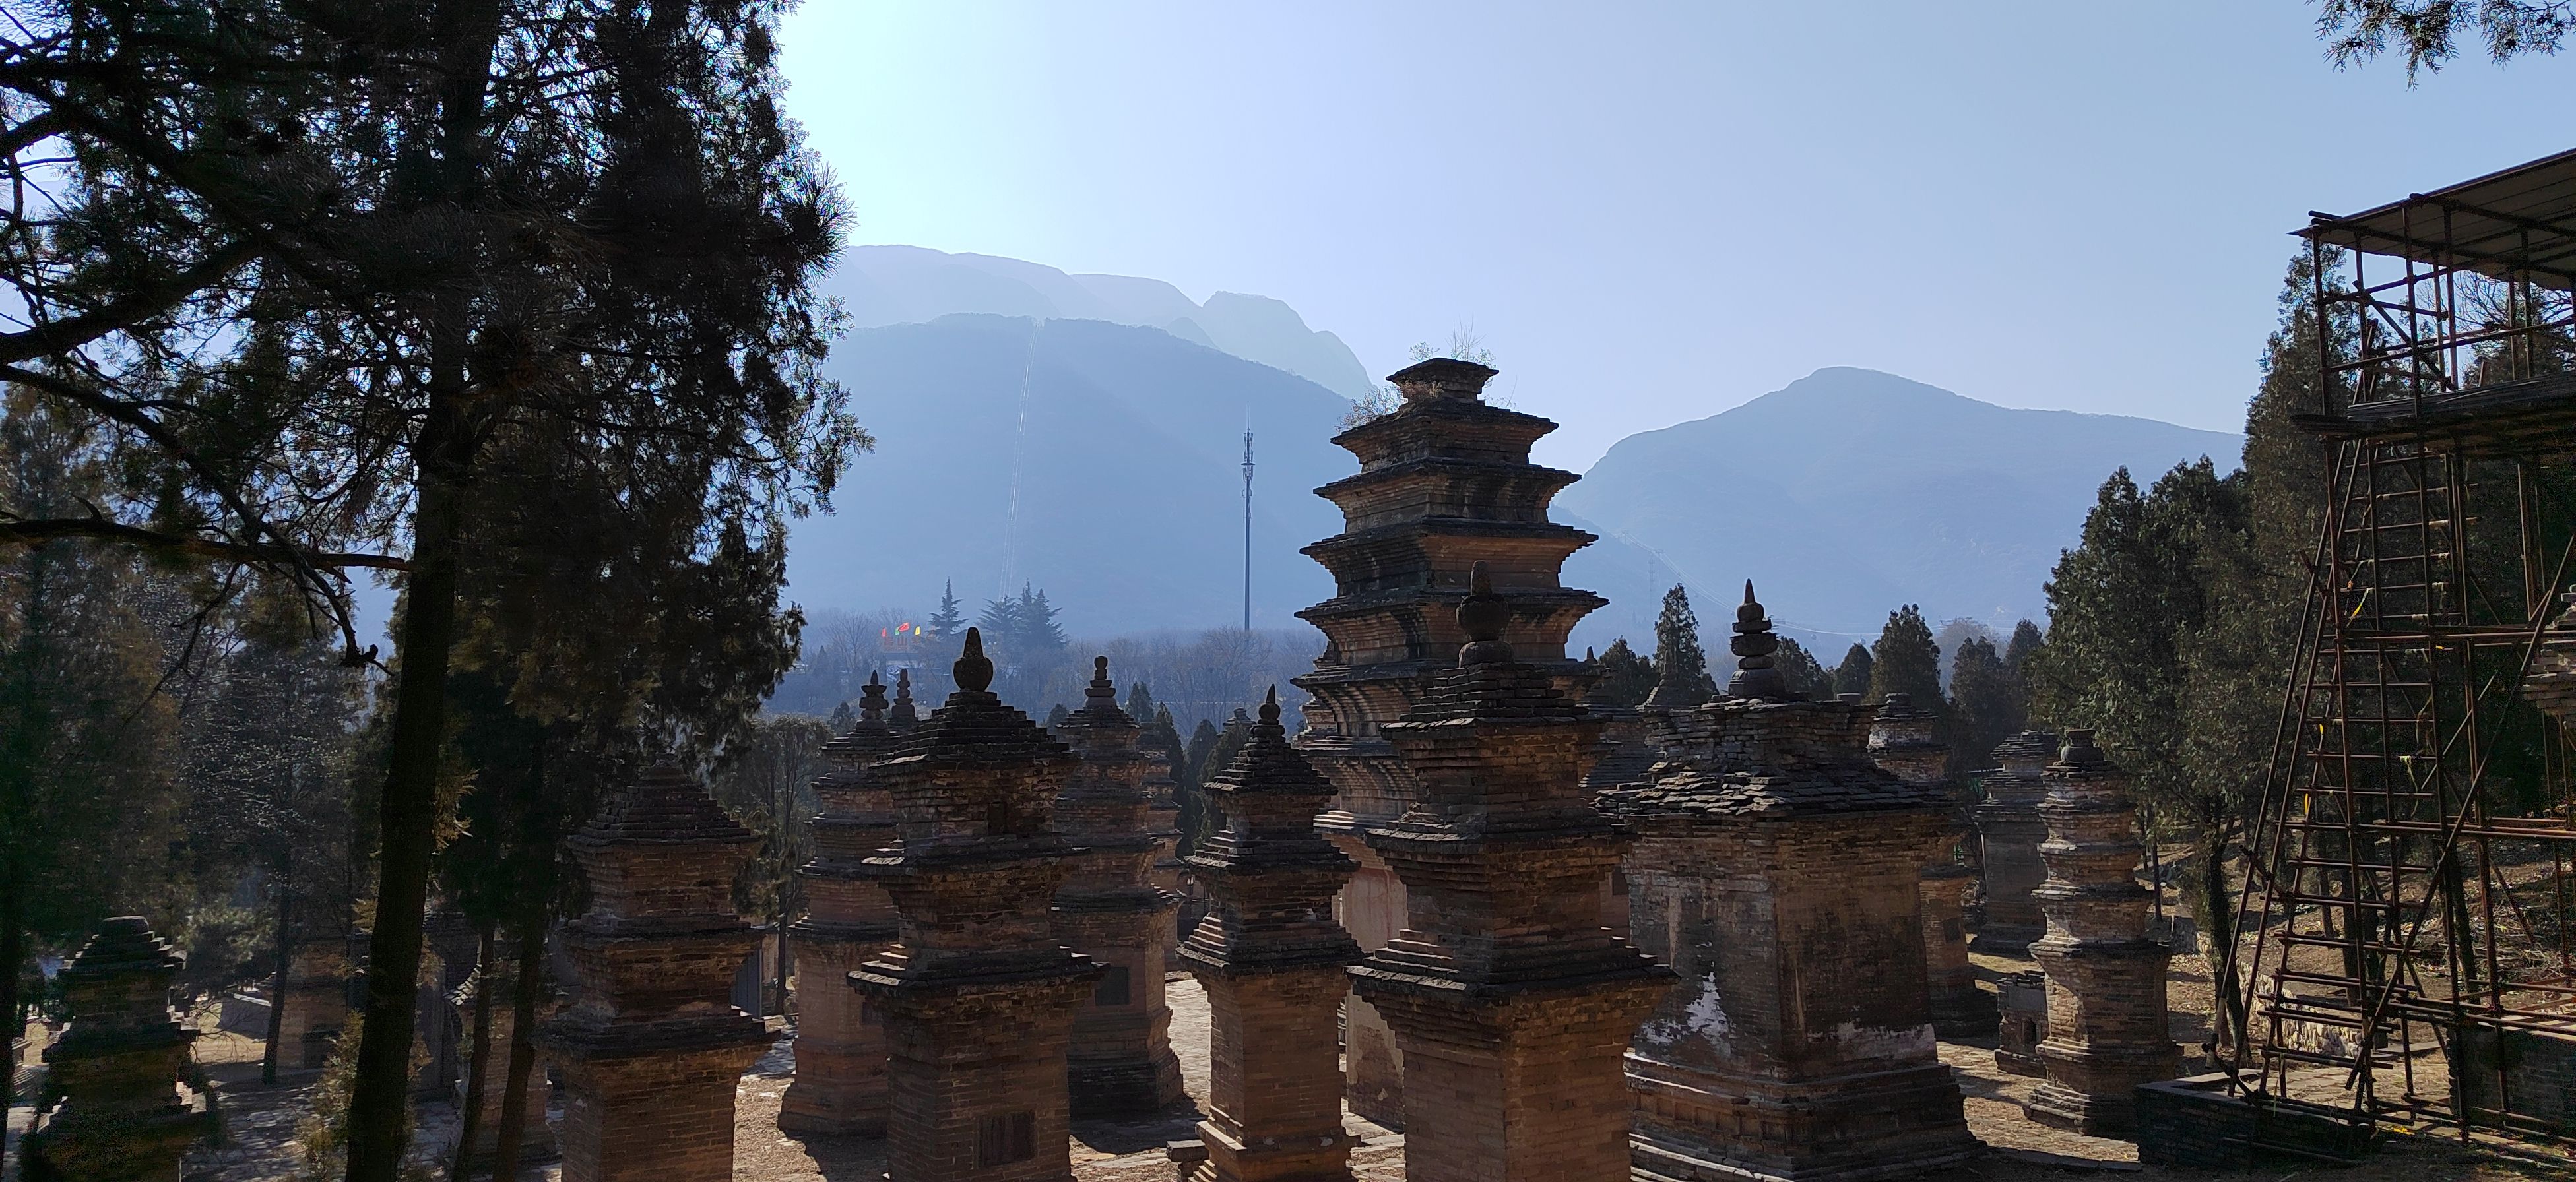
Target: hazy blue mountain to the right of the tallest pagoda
x: 1853, y: 491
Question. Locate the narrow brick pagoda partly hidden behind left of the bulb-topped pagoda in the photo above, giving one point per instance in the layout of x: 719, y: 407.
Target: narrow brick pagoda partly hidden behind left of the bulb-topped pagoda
x: 841, y: 1055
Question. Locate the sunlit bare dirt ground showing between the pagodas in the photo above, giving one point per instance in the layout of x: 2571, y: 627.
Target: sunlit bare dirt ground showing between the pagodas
x: 261, y: 1124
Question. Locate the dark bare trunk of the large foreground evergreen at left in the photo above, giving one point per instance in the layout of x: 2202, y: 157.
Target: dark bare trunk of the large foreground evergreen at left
x: 406, y: 838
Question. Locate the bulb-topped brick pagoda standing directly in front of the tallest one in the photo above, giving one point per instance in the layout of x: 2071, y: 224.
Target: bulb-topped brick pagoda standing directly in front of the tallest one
x: 1508, y: 998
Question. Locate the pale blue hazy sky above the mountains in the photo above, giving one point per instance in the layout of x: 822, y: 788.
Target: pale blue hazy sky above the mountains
x: 1658, y: 212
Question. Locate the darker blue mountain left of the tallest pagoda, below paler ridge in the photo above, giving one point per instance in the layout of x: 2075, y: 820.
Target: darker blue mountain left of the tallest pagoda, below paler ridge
x: 1099, y: 462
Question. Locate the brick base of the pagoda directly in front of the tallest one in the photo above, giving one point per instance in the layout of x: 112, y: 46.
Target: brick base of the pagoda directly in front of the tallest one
x: 1516, y: 1088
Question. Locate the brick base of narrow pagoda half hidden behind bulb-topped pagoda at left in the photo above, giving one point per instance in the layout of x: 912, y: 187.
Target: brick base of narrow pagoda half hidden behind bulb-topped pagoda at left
x: 841, y: 1052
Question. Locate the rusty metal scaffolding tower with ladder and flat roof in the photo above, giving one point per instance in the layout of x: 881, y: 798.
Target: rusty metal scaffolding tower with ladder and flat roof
x: 2412, y: 867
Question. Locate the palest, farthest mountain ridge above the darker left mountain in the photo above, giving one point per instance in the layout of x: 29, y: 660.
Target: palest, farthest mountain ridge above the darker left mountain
x: 913, y: 285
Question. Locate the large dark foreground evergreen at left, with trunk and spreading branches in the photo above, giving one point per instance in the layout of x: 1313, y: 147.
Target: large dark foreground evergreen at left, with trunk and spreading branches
x: 316, y: 259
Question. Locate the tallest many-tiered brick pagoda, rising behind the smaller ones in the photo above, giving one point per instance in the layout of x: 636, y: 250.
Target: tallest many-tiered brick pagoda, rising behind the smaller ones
x: 1444, y: 483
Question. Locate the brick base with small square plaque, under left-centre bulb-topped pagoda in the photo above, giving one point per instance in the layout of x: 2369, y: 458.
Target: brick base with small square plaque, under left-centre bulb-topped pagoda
x: 978, y: 1080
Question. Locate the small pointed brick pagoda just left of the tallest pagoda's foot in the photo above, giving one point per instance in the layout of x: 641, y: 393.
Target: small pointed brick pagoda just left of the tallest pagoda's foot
x: 1274, y: 967
